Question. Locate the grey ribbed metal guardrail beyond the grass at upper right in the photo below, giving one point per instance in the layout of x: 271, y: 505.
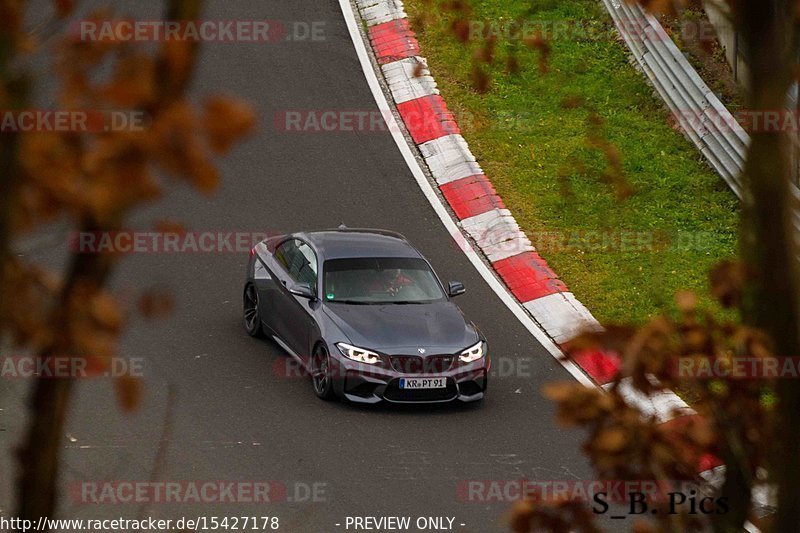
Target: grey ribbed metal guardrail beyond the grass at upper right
x: 700, y: 114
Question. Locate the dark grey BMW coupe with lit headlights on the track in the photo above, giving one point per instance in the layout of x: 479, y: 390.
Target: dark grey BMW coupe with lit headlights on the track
x: 364, y: 314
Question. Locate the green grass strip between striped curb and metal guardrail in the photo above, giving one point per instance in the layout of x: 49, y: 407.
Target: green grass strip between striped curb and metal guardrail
x: 535, y: 151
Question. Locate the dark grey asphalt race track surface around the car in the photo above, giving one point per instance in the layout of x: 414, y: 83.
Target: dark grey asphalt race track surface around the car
x: 215, y: 408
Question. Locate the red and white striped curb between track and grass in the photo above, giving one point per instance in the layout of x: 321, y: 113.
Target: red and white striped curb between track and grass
x: 481, y: 214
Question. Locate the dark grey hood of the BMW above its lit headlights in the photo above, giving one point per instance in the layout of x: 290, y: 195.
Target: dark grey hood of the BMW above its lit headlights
x: 398, y: 329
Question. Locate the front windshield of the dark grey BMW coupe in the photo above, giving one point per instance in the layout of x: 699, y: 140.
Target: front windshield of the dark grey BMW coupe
x: 391, y: 280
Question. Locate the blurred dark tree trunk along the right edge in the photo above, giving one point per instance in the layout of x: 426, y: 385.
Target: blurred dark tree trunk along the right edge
x: 768, y: 246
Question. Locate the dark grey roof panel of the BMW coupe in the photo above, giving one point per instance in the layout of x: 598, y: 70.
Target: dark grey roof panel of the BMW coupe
x: 354, y: 243
